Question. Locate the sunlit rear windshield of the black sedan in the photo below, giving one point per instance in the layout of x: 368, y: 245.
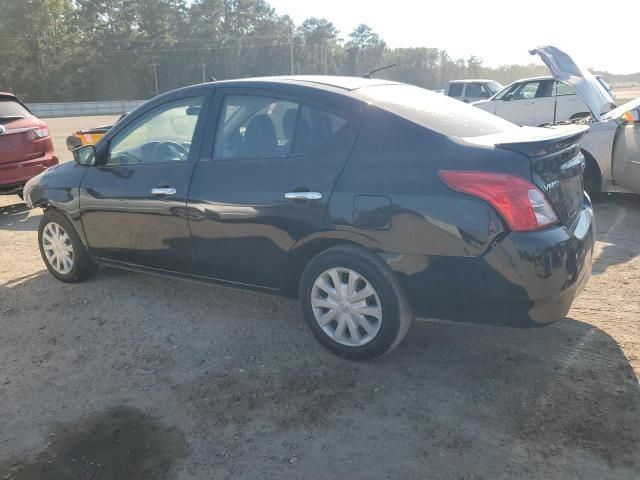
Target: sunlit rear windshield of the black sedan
x: 433, y: 111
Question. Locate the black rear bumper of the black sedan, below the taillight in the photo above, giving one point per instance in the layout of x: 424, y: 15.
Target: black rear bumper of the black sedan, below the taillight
x: 526, y: 278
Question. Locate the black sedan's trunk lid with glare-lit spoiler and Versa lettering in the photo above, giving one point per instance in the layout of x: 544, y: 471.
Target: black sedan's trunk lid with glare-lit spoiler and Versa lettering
x: 557, y: 164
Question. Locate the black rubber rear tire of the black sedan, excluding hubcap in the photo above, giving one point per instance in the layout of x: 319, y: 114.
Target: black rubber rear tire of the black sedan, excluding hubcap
x: 396, y: 313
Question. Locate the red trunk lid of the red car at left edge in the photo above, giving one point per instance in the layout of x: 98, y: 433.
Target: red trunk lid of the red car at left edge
x: 18, y: 141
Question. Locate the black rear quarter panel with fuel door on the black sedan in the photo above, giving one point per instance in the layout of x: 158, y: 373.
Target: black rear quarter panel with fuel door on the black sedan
x: 399, y: 160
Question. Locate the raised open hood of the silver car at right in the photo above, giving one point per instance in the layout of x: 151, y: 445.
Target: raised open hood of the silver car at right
x: 564, y: 69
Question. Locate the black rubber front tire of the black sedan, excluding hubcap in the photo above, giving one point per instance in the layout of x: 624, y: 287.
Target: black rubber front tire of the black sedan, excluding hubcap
x: 83, y: 266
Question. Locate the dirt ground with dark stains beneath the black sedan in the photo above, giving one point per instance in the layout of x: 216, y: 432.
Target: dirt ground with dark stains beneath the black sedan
x: 133, y: 376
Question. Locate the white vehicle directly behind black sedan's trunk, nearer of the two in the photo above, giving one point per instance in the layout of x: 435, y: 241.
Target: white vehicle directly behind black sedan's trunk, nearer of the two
x: 536, y: 101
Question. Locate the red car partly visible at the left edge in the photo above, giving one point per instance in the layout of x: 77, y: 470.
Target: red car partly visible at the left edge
x: 26, y: 147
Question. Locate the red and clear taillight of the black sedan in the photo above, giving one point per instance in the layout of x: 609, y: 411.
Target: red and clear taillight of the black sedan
x: 522, y: 205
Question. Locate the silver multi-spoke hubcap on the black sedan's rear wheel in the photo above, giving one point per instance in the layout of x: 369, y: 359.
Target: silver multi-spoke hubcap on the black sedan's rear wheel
x: 346, y: 307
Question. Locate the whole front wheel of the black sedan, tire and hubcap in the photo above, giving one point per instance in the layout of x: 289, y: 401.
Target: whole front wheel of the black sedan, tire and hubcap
x: 61, y: 249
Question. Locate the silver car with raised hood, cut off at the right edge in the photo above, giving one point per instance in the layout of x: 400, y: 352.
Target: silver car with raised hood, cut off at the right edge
x: 612, y: 145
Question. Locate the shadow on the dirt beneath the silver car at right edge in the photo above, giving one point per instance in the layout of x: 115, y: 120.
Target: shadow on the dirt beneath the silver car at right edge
x: 618, y: 229
